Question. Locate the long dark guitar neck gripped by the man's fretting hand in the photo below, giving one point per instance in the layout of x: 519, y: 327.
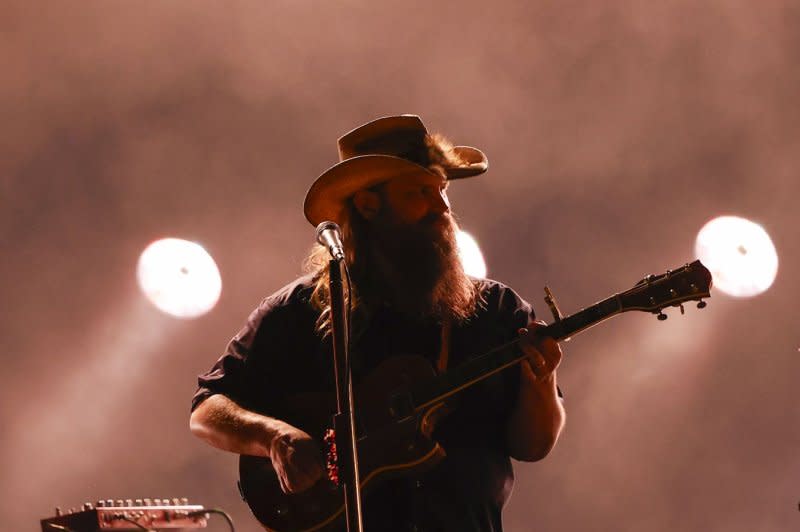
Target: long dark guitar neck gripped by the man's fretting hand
x: 506, y: 355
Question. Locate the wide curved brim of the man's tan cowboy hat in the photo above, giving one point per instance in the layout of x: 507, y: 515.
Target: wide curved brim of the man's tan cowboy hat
x: 327, y: 196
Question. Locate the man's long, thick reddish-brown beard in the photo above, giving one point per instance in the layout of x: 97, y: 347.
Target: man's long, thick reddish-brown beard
x: 416, y: 269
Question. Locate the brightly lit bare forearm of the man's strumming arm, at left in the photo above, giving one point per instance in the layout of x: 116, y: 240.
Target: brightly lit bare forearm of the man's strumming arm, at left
x: 224, y: 424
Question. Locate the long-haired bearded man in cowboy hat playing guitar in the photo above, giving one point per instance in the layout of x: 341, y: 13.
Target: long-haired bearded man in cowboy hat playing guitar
x: 410, y: 295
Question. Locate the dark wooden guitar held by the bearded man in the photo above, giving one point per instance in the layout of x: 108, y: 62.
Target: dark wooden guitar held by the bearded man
x: 401, y: 402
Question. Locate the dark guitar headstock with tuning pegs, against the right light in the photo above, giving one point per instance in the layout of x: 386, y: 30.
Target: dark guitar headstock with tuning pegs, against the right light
x: 691, y: 282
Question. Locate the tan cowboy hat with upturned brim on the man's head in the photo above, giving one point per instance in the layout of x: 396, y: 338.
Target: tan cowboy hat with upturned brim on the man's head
x: 386, y: 148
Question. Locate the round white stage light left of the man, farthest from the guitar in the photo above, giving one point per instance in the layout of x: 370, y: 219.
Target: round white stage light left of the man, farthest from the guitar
x: 179, y: 277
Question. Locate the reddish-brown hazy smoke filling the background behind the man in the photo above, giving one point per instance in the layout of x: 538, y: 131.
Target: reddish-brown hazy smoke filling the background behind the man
x: 614, y: 131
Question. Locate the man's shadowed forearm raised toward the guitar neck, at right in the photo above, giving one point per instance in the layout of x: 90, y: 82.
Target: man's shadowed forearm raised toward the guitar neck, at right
x: 537, y: 419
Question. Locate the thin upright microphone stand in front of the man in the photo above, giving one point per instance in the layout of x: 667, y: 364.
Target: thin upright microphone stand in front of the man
x: 344, y: 419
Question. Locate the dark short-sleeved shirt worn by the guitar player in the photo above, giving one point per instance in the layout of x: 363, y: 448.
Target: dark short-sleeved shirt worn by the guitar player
x: 280, y: 354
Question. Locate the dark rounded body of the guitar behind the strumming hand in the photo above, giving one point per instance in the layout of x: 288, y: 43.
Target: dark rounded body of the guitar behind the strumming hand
x: 393, y: 440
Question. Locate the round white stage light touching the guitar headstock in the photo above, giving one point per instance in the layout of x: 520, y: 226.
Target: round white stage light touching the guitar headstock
x: 740, y: 255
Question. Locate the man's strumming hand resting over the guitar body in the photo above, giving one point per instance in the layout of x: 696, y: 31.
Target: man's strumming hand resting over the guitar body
x: 296, y: 458
